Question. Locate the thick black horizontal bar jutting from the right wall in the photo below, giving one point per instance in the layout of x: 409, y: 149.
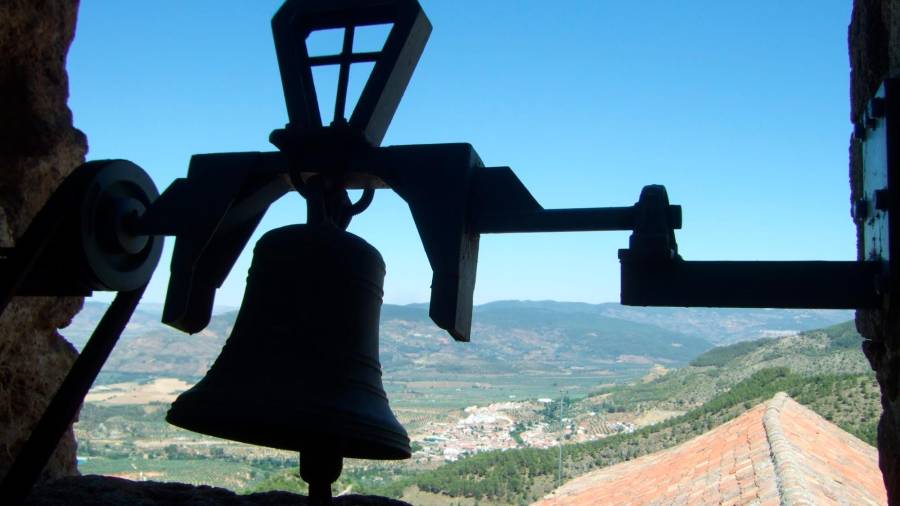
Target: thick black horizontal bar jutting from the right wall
x: 802, y: 284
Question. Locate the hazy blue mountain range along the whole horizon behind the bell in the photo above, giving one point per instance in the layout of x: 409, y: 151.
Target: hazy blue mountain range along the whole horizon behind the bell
x: 507, y: 337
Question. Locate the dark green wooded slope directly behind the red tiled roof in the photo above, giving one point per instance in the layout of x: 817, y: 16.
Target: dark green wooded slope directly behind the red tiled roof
x: 516, y: 476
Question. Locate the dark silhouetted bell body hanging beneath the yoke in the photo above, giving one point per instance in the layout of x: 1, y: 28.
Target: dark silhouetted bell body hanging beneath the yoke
x: 300, y: 370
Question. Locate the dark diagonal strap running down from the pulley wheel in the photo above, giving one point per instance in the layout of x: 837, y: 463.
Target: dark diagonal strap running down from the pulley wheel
x: 61, y: 412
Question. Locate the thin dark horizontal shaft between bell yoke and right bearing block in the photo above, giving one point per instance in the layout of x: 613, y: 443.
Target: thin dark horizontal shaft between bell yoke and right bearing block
x: 565, y: 220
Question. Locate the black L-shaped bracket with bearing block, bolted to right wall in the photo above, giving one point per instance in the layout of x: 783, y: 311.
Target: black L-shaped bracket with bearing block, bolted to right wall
x: 653, y: 274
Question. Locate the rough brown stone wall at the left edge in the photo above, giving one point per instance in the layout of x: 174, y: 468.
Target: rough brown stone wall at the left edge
x: 38, y: 148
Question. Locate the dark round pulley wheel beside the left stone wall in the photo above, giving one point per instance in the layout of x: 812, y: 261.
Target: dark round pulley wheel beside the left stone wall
x: 115, y: 193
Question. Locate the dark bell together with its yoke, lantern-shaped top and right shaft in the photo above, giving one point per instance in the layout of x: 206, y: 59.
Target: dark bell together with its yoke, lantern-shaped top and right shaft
x: 309, y: 319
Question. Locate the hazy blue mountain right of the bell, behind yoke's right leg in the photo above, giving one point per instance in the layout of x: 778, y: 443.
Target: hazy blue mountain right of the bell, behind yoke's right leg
x: 521, y: 338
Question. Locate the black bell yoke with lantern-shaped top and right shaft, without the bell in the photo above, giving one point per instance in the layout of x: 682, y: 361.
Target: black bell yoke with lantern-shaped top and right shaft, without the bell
x: 453, y: 197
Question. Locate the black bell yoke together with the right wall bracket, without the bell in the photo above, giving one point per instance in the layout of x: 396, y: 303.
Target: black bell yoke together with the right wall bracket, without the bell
x: 454, y: 198
